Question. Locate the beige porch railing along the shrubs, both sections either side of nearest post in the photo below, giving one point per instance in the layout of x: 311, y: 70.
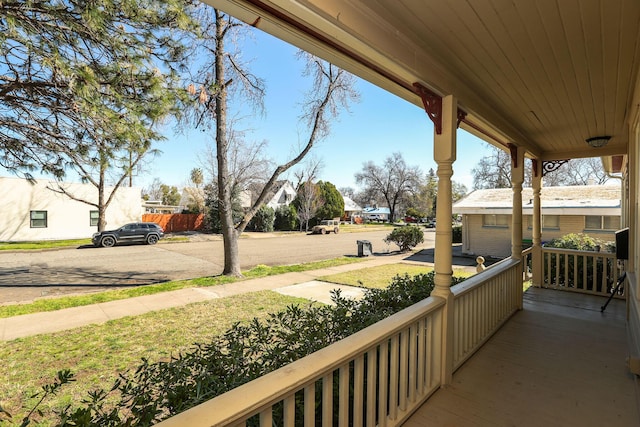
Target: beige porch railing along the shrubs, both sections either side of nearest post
x: 376, y: 377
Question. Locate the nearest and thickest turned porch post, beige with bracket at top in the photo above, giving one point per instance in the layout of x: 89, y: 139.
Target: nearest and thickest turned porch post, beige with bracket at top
x: 444, y: 148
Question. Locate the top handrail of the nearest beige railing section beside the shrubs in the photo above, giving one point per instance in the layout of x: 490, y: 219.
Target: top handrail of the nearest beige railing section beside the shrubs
x: 299, y: 373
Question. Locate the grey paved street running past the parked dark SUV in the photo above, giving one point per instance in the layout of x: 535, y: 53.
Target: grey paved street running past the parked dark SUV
x: 27, y: 275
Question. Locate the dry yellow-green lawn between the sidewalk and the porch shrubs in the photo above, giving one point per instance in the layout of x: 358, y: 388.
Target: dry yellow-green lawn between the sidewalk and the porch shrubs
x: 97, y: 353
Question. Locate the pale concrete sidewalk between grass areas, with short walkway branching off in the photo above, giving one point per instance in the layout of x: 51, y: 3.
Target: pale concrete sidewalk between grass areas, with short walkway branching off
x: 301, y: 284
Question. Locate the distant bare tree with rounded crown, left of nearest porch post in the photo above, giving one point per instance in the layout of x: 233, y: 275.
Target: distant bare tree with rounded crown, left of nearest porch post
x: 393, y: 180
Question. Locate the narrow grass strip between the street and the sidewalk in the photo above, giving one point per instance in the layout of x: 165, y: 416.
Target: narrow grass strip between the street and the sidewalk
x: 52, y: 304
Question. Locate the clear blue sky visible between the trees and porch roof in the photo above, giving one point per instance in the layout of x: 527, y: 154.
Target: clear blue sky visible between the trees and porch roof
x: 377, y: 126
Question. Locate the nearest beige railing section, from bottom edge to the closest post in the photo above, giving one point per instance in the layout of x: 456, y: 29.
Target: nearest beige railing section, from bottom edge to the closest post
x: 377, y: 376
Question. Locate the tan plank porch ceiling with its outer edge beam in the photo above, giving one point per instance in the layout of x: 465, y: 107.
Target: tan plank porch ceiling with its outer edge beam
x: 545, y: 75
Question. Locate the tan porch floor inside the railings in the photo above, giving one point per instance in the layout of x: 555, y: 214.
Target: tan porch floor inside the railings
x: 558, y: 362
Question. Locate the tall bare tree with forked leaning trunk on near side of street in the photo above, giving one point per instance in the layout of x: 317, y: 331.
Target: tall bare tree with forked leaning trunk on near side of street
x: 220, y: 77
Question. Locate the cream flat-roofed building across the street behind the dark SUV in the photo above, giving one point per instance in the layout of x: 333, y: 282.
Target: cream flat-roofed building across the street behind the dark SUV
x: 32, y: 212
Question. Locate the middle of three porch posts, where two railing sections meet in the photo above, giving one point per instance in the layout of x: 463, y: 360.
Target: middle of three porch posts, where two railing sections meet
x: 517, y: 178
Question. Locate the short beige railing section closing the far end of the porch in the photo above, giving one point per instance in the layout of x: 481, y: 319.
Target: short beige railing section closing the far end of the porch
x: 579, y: 271
